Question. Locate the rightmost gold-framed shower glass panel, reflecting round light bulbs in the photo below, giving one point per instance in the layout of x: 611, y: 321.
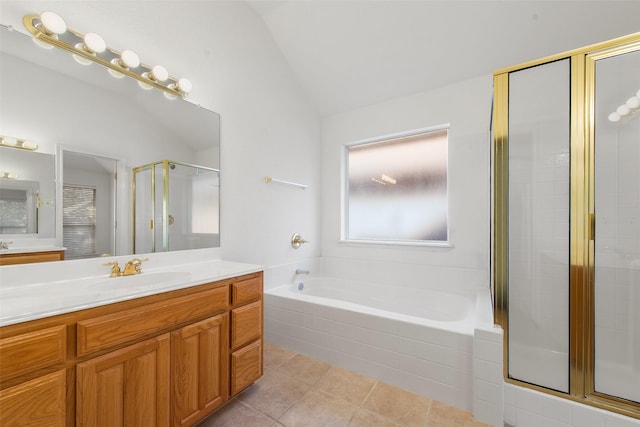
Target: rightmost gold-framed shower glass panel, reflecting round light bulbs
x: 617, y: 242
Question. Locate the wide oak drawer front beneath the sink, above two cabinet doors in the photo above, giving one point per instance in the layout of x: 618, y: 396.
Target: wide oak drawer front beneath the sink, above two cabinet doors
x: 106, y: 331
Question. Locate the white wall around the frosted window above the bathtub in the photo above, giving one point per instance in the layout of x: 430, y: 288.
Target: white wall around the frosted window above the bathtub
x: 466, y: 106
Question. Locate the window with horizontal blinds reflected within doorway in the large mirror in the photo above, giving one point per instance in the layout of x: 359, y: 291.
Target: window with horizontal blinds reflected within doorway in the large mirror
x: 79, y: 221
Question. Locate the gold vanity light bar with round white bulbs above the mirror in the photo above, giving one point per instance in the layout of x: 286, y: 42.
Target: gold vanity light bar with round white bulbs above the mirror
x: 49, y: 29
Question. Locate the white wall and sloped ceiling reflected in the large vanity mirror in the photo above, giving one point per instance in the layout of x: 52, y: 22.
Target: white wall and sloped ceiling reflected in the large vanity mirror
x: 50, y: 99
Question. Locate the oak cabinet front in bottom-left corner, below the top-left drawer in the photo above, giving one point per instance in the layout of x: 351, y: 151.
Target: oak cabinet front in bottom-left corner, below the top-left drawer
x: 39, y: 402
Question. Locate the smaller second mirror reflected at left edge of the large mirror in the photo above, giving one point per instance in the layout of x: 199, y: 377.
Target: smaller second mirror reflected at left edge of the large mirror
x: 27, y: 199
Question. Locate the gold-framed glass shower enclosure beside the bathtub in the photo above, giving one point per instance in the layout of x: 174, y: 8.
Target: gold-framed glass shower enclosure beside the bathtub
x: 566, y: 133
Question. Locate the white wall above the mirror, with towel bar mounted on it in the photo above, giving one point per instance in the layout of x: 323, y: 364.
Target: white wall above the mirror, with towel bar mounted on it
x: 267, y: 126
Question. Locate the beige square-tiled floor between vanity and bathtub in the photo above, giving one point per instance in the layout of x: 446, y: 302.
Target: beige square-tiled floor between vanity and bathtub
x: 297, y: 390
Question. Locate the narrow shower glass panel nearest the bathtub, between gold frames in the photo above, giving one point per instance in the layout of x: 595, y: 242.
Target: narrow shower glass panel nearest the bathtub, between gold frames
x: 538, y: 225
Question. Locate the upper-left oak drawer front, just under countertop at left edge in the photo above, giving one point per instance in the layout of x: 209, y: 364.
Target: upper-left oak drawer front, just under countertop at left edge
x: 28, y: 352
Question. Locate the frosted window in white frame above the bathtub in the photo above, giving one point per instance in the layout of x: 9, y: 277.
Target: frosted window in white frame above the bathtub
x: 396, y: 189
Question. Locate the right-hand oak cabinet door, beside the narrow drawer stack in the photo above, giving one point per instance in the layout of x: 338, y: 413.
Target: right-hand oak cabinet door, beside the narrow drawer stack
x: 200, y: 369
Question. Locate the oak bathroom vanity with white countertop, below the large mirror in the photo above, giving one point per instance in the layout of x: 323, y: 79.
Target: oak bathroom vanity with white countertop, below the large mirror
x: 143, y: 355
